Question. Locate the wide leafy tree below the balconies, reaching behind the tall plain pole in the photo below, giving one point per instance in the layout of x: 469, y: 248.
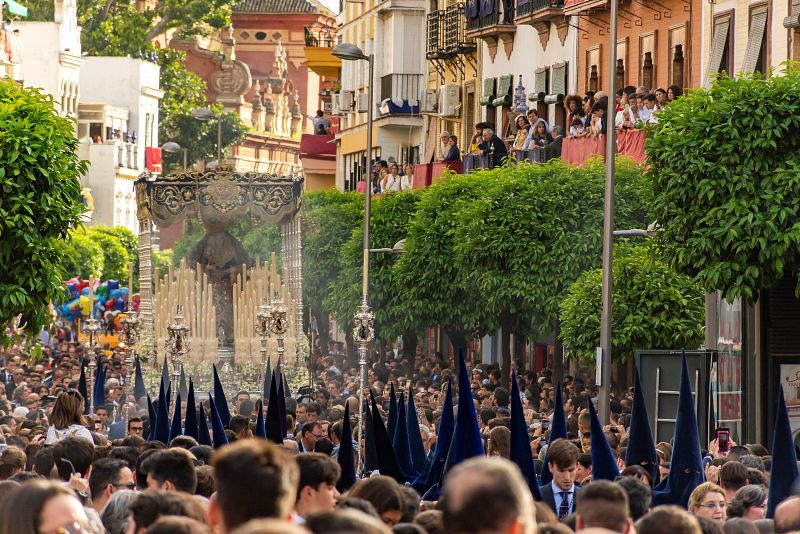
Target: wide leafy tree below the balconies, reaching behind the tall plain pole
x: 532, y: 233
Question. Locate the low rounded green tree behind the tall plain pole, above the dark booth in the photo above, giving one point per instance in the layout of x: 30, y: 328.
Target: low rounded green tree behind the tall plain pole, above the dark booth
x: 654, y: 307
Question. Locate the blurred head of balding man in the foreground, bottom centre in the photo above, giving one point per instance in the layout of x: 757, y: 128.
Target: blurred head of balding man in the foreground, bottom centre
x: 487, y: 496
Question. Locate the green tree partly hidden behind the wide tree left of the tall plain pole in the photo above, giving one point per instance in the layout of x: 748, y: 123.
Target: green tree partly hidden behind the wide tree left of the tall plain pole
x: 428, y: 272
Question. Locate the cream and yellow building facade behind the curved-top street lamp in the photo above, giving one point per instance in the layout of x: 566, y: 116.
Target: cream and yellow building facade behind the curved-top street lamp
x: 394, y: 31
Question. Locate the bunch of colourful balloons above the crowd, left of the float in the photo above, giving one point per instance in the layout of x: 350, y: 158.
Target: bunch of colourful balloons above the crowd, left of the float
x: 110, y: 301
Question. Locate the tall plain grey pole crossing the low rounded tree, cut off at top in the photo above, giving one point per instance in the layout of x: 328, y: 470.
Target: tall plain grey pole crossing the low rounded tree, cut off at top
x: 608, y: 223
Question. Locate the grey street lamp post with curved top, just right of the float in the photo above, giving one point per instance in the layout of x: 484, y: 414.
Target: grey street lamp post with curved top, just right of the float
x: 364, y: 331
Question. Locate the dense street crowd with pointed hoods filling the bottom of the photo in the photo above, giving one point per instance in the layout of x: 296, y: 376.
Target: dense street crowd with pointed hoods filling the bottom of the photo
x: 62, y: 470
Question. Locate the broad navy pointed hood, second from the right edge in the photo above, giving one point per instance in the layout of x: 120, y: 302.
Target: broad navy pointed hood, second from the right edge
x: 686, y: 466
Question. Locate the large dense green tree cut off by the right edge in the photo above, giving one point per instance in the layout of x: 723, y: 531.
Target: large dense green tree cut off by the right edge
x: 724, y: 169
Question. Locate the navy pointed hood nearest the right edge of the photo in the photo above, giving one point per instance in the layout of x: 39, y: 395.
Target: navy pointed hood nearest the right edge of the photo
x: 784, y: 459
